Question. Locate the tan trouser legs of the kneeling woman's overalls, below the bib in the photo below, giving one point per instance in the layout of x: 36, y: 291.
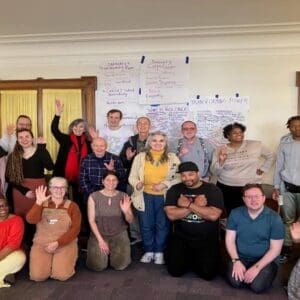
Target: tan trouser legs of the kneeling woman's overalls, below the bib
x: 59, y: 265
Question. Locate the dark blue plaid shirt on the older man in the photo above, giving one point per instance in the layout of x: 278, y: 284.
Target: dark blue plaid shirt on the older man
x: 93, y: 168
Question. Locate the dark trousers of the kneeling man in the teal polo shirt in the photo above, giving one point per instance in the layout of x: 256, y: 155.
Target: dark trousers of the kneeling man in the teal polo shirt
x: 261, y: 282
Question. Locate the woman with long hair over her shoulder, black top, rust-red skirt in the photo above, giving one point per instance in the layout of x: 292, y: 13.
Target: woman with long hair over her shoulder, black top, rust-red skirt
x: 25, y: 170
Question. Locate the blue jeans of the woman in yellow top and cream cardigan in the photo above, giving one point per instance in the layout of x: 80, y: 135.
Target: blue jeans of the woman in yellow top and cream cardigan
x: 154, y: 224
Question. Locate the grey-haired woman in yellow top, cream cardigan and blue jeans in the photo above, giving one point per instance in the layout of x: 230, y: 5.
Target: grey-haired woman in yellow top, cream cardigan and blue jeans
x: 152, y: 173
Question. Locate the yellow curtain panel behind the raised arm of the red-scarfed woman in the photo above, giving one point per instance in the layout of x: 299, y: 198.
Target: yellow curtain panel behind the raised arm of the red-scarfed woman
x: 71, y: 99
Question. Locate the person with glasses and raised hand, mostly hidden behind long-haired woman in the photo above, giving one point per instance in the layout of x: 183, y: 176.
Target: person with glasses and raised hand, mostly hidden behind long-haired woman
x: 8, y: 140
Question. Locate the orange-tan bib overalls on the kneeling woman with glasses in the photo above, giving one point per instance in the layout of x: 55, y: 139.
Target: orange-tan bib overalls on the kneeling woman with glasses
x: 60, y: 264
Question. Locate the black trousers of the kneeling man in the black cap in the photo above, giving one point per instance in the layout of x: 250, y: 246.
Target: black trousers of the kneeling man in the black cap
x: 200, y: 255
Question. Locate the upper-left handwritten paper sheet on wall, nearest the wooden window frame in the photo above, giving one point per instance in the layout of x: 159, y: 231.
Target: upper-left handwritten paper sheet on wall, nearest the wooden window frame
x: 118, y: 82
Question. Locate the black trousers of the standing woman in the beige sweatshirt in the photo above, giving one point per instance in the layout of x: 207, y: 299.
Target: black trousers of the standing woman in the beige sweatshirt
x: 233, y: 196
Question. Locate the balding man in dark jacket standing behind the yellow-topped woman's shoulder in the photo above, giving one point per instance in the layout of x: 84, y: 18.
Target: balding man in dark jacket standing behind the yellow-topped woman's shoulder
x: 131, y: 148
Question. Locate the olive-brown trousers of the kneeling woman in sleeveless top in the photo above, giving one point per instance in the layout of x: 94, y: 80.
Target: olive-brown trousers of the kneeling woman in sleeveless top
x: 119, y: 257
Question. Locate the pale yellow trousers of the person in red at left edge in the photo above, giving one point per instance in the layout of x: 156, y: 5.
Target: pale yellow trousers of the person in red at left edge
x: 11, y: 264
